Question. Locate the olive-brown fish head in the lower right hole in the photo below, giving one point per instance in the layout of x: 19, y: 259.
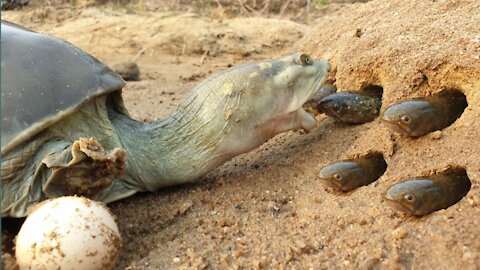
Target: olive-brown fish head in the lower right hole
x: 423, y: 195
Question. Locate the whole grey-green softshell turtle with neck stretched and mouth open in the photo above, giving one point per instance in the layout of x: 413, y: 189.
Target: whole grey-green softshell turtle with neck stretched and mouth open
x: 66, y: 131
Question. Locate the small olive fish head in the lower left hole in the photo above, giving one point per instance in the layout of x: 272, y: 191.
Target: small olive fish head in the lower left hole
x: 350, y: 174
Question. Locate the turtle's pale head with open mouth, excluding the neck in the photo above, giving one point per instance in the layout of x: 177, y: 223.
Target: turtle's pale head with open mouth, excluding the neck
x: 277, y: 89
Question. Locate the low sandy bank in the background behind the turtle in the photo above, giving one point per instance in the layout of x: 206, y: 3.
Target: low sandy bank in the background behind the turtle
x: 111, y: 33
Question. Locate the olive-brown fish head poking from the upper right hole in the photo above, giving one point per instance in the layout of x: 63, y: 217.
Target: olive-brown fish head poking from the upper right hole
x: 419, y: 116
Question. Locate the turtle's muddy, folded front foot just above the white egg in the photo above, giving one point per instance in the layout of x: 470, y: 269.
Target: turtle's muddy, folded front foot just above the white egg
x: 84, y: 168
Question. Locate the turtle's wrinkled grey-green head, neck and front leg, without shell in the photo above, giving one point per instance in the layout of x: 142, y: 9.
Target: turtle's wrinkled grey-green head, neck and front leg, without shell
x: 229, y: 113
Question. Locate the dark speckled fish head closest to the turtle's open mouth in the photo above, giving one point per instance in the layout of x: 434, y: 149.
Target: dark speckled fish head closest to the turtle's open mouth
x: 351, y: 107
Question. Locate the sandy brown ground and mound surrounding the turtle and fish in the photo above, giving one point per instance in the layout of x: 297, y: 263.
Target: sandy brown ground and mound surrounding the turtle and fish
x: 266, y: 209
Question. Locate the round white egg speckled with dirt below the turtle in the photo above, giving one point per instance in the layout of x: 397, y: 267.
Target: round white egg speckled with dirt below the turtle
x: 68, y: 233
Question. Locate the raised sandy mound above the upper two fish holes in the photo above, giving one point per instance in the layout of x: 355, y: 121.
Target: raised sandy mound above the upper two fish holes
x: 410, y: 48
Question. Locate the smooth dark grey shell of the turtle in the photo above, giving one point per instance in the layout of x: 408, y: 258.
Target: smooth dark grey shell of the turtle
x: 44, y: 79
